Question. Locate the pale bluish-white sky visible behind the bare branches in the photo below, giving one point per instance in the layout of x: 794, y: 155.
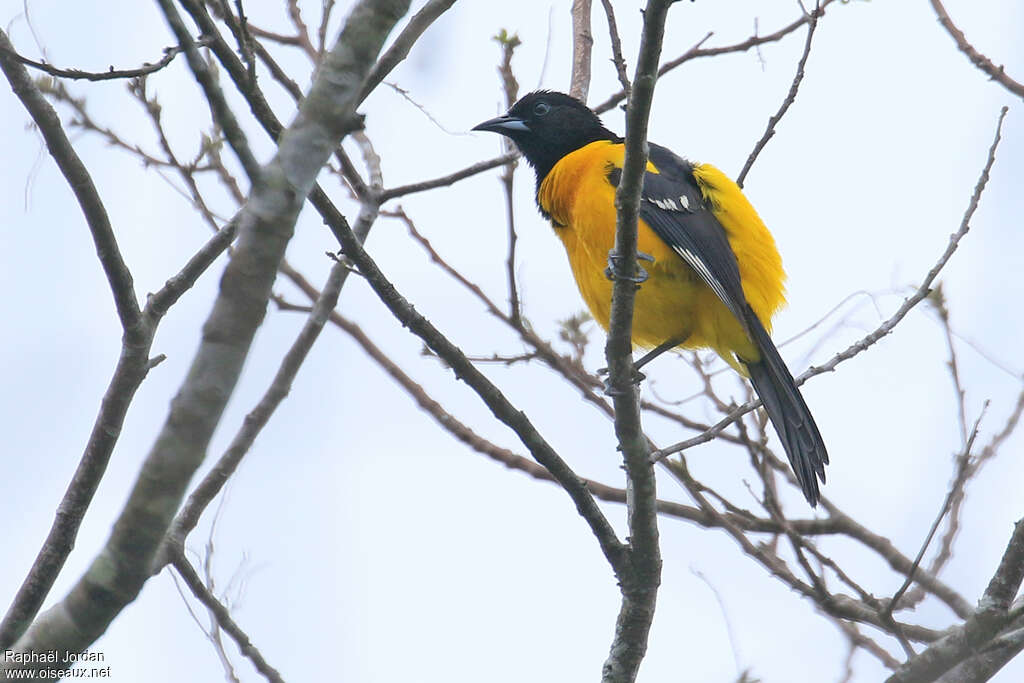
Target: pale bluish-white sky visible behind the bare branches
x: 359, y: 541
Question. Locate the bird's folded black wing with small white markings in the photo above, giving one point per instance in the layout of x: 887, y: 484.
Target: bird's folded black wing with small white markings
x: 674, y: 207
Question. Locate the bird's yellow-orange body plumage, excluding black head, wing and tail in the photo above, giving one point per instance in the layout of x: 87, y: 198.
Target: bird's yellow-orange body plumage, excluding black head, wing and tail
x: 673, y: 303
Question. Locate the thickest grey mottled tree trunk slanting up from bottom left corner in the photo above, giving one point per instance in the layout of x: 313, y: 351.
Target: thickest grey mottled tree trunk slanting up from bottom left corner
x: 266, y: 226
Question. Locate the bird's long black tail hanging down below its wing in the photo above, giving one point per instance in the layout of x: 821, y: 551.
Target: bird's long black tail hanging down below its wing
x: 788, y: 412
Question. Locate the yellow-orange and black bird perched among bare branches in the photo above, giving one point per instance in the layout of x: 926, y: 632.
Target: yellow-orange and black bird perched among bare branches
x: 711, y: 275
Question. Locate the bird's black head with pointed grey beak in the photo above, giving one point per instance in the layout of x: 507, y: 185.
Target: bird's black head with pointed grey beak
x: 546, y: 126
